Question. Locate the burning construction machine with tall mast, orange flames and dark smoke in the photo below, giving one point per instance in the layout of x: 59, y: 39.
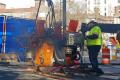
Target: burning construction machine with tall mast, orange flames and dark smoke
x: 55, y: 54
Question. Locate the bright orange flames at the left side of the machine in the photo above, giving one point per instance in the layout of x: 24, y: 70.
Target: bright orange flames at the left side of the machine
x: 44, y: 55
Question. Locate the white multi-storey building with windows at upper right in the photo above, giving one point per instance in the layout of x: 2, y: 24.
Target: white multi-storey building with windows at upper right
x: 107, y: 7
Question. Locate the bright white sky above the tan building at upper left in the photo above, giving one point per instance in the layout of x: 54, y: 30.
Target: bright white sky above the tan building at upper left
x: 18, y: 3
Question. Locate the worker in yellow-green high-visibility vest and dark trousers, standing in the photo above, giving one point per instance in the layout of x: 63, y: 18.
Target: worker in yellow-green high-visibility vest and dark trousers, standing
x: 94, y: 41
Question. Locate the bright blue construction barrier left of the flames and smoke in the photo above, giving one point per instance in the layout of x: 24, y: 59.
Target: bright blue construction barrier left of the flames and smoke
x: 18, y: 33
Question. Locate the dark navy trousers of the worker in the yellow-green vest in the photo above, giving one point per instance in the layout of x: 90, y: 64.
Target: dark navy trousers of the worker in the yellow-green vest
x: 93, y: 54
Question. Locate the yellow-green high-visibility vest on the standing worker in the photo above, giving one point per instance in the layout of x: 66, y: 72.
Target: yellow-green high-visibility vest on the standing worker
x: 97, y: 41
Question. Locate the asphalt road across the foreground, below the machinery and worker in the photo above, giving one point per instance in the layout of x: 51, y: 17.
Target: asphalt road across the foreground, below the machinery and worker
x: 21, y: 73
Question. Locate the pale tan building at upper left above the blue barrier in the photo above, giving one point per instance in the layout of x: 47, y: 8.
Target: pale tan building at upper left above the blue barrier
x: 24, y: 12
